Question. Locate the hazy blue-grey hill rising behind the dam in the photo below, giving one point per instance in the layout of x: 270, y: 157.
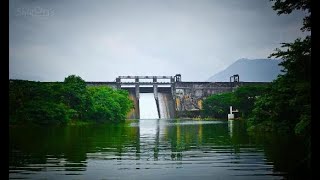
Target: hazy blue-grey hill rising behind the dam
x: 250, y: 70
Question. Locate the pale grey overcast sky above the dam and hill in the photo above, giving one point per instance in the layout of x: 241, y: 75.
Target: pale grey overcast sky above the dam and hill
x: 100, y: 40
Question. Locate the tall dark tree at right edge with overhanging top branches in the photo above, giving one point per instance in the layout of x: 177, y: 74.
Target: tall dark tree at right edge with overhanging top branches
x: 287, y: 106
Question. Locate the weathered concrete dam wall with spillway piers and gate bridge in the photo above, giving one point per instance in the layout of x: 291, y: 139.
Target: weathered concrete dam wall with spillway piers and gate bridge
x: 177, y: 98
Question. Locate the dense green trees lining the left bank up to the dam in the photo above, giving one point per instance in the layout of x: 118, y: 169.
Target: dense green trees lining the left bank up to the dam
x: 63, y: 102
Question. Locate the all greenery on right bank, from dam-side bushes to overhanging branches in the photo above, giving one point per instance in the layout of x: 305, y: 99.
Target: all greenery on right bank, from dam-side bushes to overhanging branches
x: 283, y: 106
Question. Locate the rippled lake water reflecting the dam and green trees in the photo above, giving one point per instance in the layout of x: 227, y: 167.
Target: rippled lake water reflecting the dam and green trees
x: 145, y: 149
